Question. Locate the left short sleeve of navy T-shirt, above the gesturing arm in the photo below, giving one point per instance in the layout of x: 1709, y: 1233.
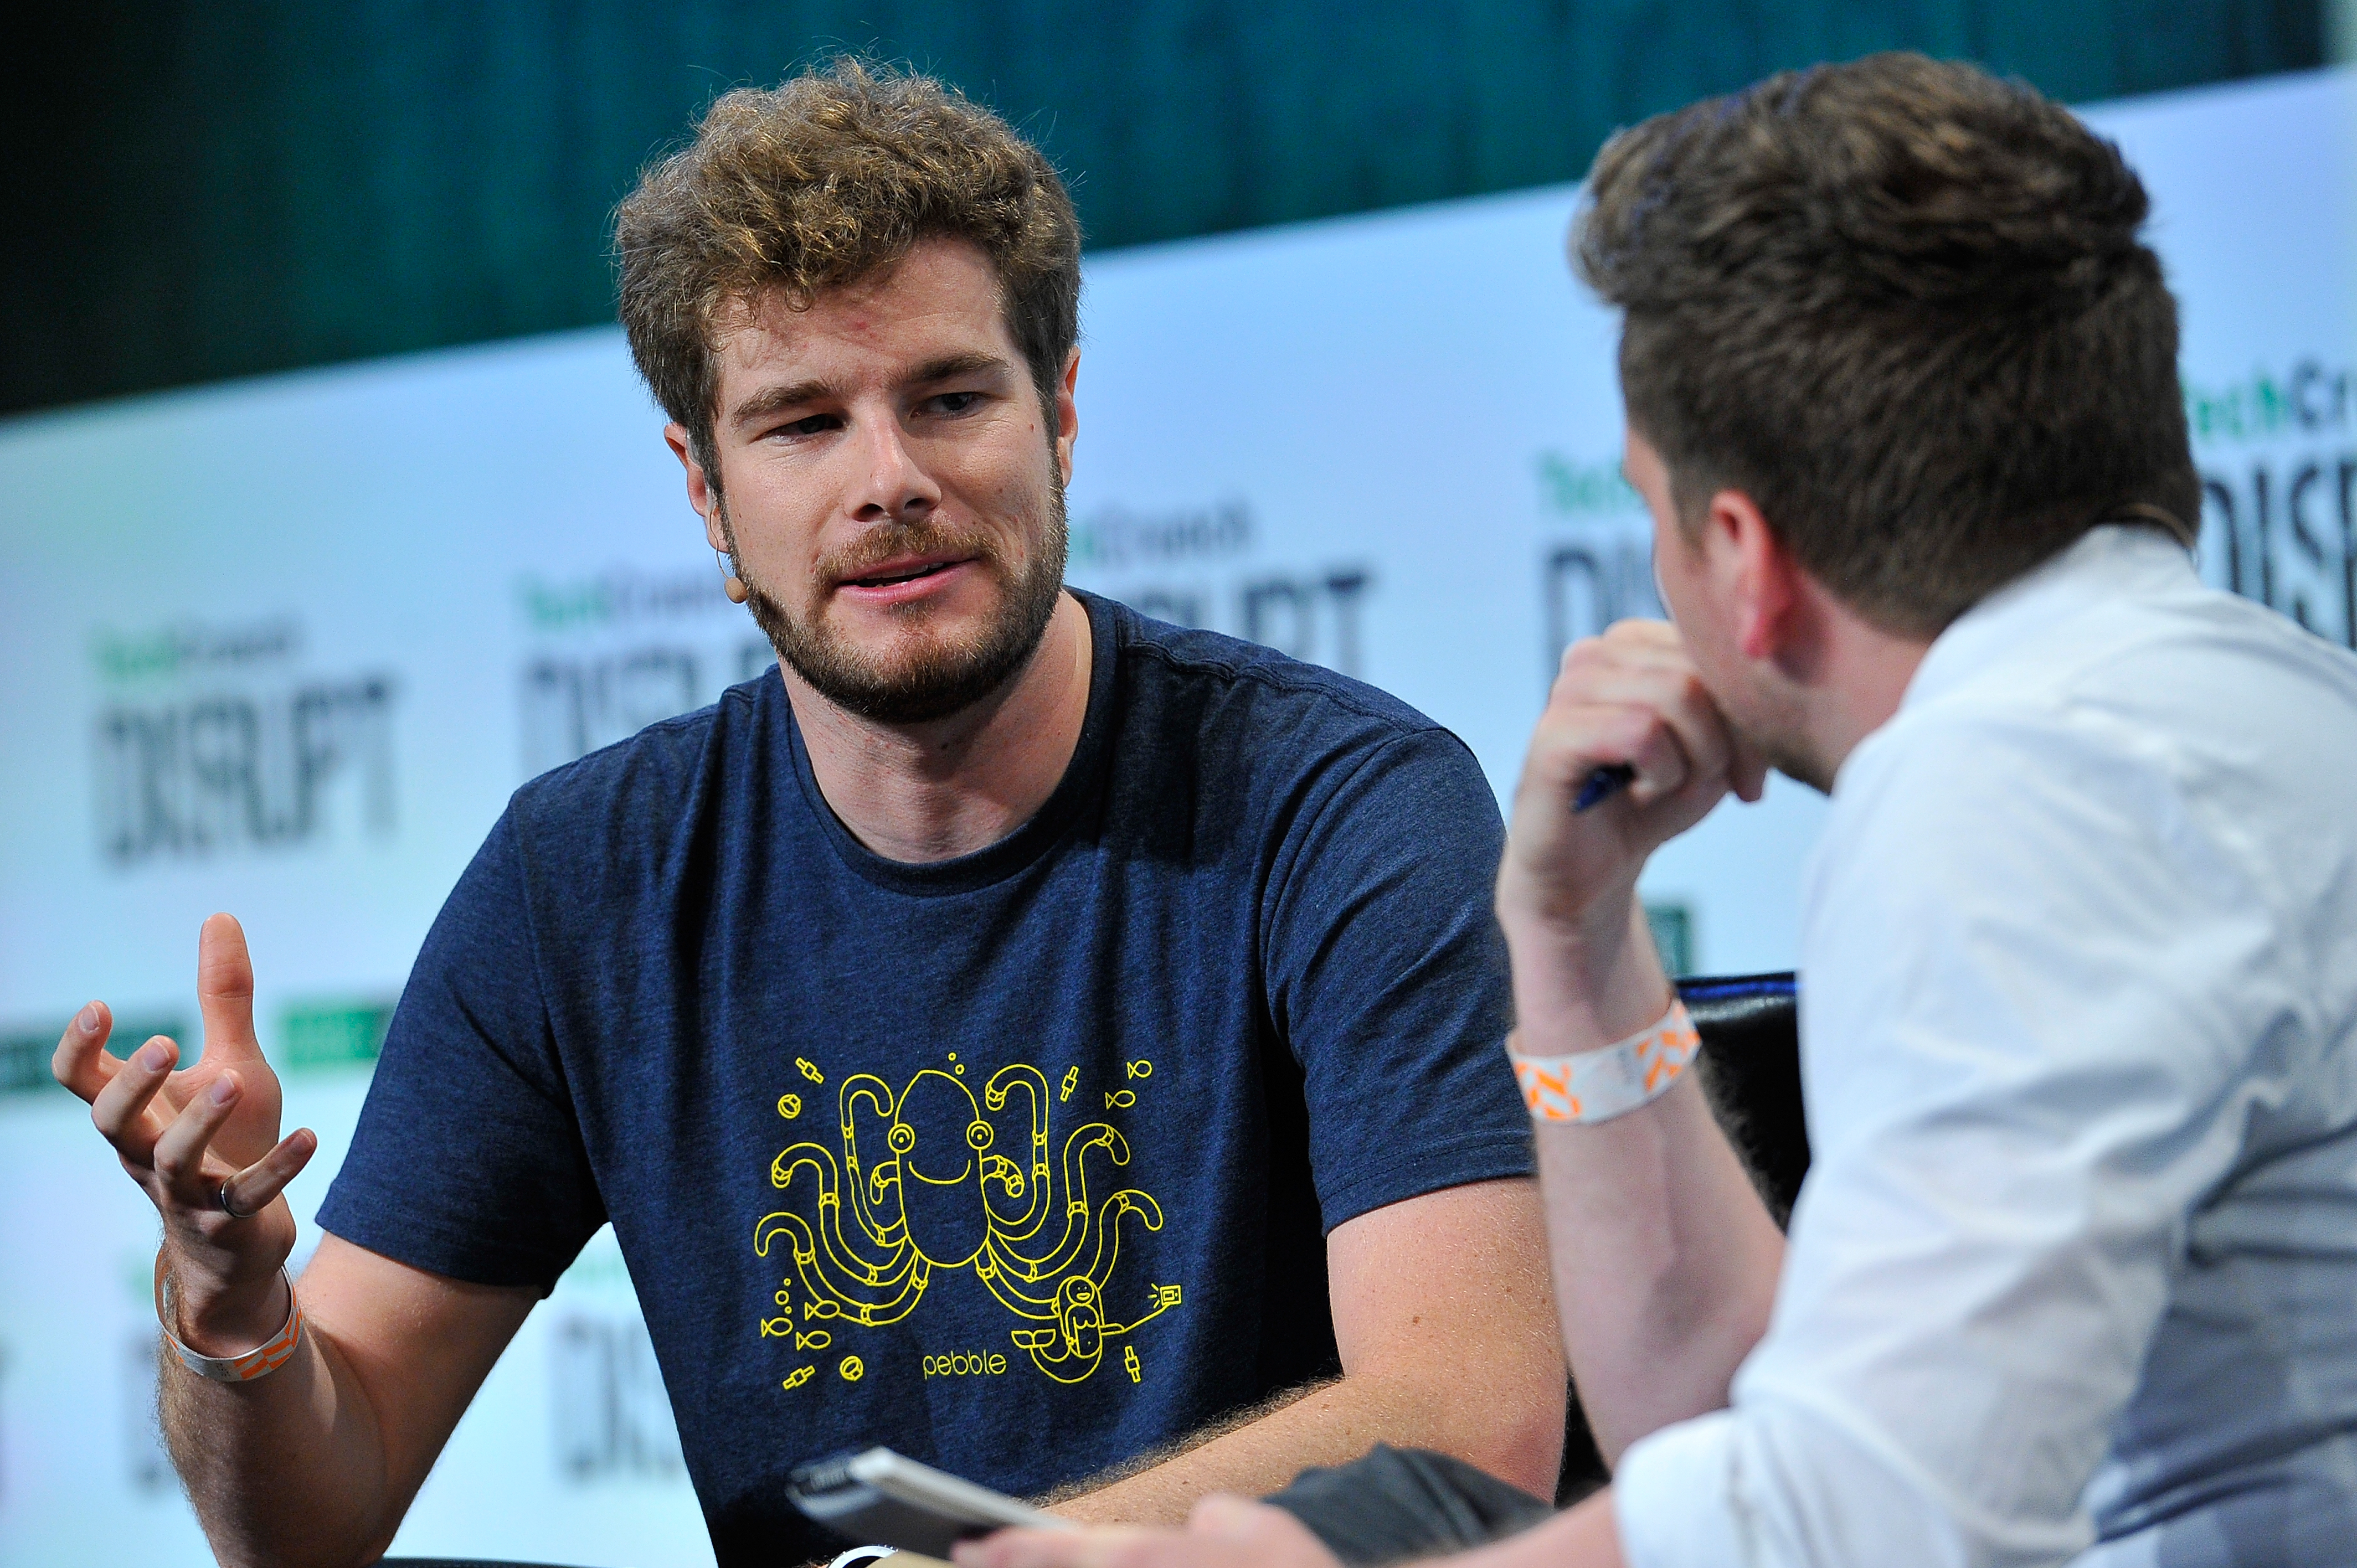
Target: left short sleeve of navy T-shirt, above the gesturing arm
x: 470, y: 1159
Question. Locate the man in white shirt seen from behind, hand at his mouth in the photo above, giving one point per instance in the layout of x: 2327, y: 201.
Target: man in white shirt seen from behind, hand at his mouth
x: 2075, y: 1270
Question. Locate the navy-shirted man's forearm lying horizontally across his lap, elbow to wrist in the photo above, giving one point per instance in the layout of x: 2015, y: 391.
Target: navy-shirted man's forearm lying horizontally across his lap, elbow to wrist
x: 1507, y: 1425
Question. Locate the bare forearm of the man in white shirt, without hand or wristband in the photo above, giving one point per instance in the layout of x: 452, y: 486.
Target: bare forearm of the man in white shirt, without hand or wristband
x: 1663, y: 1256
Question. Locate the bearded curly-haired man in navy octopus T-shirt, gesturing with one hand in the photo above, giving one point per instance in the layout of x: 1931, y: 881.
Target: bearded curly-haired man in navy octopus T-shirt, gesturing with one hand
x: 1036, y: 1039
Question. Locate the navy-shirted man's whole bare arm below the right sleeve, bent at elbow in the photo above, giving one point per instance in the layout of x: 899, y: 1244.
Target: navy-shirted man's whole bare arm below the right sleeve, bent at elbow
x: 1448, y: 1340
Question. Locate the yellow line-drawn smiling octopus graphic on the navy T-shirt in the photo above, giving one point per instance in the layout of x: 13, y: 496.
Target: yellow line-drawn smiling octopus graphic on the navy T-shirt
x: 944, y: 1201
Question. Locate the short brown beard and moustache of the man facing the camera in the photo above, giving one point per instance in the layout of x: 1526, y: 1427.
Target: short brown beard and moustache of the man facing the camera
x: 925, y: 676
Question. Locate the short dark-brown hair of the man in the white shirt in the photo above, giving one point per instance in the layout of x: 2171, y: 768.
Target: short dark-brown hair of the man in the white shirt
x: 1906, y: 308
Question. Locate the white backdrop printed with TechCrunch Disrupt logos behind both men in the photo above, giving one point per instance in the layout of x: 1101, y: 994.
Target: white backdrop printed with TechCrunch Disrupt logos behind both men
x: 286, y: 647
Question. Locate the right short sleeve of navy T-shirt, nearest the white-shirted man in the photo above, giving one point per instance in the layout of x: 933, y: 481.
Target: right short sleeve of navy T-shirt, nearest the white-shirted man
x: 1387, y: 977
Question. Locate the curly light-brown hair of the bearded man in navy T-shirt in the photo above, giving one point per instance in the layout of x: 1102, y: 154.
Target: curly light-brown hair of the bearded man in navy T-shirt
x: 817, y: 185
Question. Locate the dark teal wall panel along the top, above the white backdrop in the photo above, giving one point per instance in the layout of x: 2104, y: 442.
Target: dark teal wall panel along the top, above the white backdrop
x: 225, y: 190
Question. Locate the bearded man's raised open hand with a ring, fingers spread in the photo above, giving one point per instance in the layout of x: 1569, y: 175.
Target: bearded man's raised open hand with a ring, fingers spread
x: 204, y: 1145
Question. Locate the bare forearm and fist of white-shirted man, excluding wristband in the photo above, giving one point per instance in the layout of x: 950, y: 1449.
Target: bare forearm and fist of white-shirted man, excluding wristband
x: 1665, y: 1260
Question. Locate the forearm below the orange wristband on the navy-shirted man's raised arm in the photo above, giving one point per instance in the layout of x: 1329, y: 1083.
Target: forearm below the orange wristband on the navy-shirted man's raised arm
x: 286, y: 1468
